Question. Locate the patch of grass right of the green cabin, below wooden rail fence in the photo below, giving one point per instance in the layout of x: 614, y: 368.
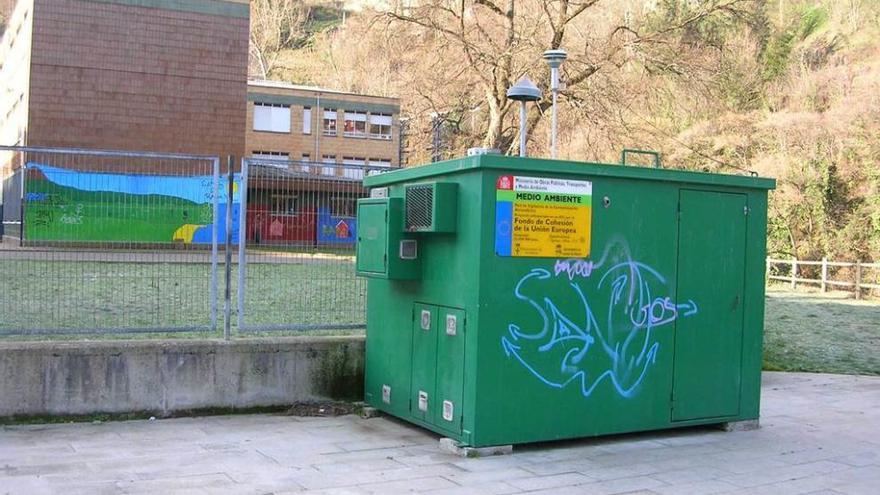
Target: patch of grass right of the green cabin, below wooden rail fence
x: 822, y: 333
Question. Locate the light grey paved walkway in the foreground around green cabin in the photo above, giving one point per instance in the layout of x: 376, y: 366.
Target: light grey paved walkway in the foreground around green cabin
x: 820, y: 435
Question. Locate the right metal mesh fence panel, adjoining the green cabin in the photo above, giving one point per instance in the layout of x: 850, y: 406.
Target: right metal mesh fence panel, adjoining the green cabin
x: 298, y: 224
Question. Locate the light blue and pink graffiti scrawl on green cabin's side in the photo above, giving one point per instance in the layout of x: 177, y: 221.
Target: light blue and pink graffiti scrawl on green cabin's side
x: 572, y: 347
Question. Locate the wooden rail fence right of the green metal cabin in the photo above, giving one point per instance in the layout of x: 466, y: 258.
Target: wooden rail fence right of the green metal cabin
x: 858, y: 277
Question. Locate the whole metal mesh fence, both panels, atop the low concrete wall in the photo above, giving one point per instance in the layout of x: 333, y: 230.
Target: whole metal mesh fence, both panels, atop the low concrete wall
x: 108, y: 242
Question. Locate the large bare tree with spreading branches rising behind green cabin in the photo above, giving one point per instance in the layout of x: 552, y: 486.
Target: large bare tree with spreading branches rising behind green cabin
x: 500, y: 40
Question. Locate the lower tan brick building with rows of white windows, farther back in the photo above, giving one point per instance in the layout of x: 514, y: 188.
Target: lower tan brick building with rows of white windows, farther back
x: 313, y: 143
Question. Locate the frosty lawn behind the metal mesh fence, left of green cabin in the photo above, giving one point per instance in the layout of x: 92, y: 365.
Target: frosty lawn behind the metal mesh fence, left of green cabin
x: 71, y: 295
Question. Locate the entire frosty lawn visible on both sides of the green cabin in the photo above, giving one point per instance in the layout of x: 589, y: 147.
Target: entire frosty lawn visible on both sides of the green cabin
x: 803, y: 331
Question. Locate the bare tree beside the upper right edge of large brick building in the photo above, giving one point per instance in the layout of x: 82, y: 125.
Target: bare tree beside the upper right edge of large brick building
x: 275, y: 26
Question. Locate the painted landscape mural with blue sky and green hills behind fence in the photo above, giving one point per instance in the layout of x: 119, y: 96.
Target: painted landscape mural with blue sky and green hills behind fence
x: 70, y: 205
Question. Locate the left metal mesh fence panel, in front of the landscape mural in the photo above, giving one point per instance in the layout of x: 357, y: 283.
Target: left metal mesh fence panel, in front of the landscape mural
x: 111, y: 242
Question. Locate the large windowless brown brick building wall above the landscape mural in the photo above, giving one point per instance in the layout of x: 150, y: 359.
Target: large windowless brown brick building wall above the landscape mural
x: 156, y: 75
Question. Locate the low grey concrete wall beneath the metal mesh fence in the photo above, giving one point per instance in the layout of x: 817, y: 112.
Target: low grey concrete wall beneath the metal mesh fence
x: 164, y: 377
